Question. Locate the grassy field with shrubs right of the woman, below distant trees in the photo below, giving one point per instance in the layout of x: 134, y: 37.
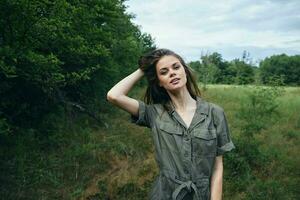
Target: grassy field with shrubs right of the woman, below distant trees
x: 265, y: 127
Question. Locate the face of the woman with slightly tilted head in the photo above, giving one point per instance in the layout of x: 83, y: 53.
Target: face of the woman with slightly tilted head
x: 170, y: 73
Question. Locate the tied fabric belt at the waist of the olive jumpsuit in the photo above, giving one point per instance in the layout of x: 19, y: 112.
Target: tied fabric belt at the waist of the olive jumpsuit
x: 185, y: 186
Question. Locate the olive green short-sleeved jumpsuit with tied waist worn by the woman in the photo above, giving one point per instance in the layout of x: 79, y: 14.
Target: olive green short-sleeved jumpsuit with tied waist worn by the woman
x: 185, y: 155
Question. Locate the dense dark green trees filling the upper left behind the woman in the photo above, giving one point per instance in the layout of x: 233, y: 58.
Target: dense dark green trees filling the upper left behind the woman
x: 63, y: 51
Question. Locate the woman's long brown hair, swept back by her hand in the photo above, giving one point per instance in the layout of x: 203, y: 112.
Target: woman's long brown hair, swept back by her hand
x: 154, y: 93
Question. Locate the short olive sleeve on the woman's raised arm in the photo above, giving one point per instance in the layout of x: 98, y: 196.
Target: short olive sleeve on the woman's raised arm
x: 145, y: 115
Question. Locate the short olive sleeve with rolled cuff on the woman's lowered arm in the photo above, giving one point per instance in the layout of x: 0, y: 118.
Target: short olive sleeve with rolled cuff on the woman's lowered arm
x: 224, y: 142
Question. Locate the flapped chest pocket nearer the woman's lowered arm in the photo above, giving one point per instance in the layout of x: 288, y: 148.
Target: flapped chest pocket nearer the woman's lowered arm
x: 205, y: 142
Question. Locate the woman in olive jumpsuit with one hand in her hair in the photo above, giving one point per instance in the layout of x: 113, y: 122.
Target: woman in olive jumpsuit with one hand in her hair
x: 190, y: 134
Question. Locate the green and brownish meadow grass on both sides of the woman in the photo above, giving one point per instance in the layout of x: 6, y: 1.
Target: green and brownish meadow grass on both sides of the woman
x: 267, y: 167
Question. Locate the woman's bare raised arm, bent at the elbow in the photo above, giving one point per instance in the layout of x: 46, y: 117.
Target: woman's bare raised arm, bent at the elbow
x: 118, y: 93
